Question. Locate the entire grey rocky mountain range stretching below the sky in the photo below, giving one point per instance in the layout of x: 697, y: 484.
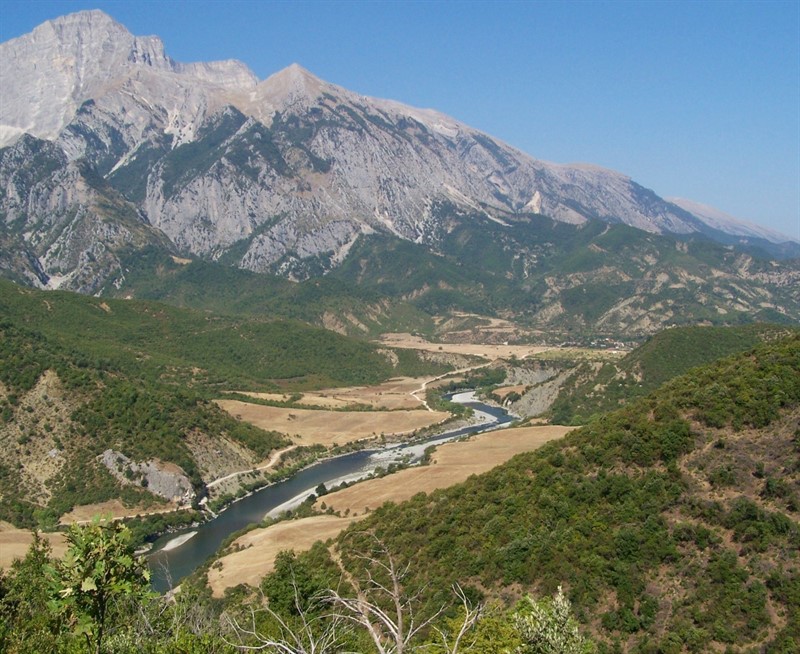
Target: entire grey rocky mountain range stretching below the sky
x: 111, y: 146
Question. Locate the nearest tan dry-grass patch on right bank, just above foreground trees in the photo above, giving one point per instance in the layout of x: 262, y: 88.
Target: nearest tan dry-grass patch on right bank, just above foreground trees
x: 260, y: 548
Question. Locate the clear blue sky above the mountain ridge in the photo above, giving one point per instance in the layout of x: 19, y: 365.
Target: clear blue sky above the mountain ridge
x: 692, y: 99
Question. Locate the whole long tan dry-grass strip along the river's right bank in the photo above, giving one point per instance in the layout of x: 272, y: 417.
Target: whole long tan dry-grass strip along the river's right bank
x: 452, y: 463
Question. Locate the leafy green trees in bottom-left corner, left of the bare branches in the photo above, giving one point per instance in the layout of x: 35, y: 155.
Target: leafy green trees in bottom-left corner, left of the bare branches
x: 98, y: 599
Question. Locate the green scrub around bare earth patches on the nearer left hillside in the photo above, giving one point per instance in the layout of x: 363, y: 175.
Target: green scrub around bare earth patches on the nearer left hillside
x: 140, y: 417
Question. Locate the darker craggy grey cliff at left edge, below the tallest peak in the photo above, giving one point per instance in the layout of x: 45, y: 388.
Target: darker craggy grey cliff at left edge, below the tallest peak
x: 61, y: 225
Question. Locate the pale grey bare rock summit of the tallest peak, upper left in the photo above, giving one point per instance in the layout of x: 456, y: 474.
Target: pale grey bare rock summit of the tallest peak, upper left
x: 48, y: 74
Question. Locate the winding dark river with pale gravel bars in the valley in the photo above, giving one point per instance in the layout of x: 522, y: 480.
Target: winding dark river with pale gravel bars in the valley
x: 170, y: 565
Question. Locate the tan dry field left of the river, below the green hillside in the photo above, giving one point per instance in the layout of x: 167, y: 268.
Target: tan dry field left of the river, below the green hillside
x: 309, y: 427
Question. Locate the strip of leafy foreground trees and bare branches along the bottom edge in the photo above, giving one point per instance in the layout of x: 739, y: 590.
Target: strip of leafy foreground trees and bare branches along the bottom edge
x: 95, y: 599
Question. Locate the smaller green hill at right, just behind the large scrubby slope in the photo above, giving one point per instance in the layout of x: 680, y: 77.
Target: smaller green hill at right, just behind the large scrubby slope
x: 593, y: 390
